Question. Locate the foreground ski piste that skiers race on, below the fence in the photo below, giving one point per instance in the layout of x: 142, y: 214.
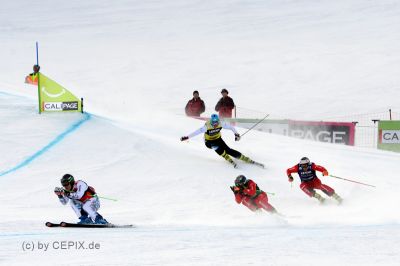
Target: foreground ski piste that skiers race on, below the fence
x: 178, y: 195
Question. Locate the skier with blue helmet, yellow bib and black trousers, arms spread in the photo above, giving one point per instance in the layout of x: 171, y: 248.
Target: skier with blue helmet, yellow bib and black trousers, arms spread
x: 213, y: 140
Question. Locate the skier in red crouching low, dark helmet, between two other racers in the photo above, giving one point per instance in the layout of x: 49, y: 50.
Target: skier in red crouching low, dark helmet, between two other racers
x: 250, y: 195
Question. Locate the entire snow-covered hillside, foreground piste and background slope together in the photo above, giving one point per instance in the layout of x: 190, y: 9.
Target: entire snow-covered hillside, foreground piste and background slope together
x: 136, y: 64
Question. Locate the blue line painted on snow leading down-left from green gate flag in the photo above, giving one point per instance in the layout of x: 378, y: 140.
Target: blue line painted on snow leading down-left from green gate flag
x: 43, y: 150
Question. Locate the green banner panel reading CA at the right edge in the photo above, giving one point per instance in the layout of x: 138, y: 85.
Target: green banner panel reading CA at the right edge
x: 389, y: 135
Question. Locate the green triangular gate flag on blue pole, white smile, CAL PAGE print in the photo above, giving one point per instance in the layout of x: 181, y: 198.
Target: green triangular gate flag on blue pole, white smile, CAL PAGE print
x: 55, y: 98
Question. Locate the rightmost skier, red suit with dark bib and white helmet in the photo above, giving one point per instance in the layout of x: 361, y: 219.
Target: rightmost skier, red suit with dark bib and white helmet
x: 309, y: 180
